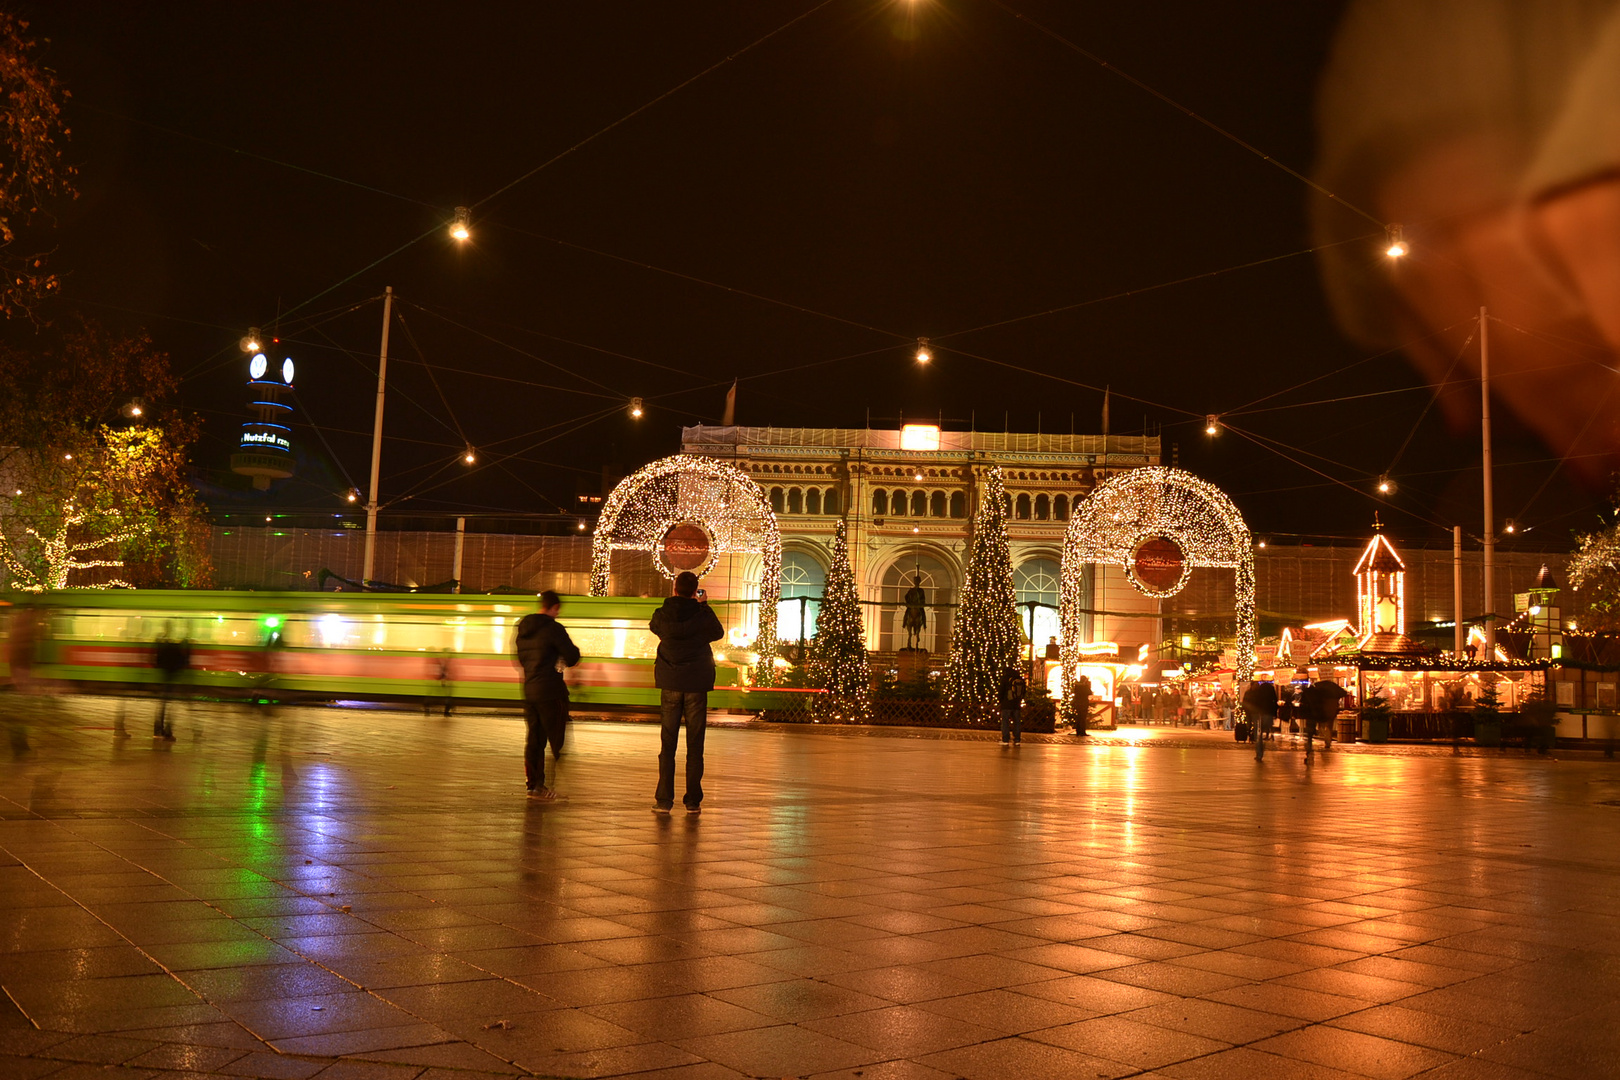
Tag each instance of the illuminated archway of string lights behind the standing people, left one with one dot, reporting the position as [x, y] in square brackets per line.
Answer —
[722, 511]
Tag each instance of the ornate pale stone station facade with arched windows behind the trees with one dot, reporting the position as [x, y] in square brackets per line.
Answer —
[910, 498]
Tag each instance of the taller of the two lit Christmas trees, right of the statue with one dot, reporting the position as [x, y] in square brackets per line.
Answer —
[986, 634]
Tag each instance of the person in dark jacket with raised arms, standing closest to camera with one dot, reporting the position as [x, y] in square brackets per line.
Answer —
[684, 674]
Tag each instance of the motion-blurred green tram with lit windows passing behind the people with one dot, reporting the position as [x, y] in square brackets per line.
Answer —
[356, 647]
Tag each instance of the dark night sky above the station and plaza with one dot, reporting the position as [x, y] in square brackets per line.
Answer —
[796, 219]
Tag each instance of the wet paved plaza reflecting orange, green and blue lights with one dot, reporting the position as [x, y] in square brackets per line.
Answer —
[364, 896]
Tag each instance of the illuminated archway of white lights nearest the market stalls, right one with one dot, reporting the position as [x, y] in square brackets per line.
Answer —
[1157, 524]
